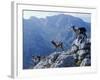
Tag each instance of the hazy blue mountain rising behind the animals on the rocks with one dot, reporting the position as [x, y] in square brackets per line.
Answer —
[38, 33]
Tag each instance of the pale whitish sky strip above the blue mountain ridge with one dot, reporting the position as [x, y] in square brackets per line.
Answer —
[43, 14]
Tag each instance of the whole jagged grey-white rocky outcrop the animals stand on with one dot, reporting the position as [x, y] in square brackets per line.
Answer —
[77, 55]
